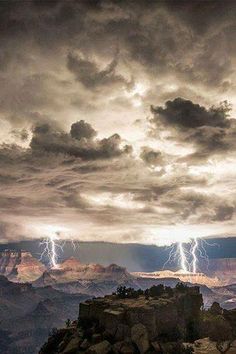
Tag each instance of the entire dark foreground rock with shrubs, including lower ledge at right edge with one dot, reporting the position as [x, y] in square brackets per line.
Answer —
[158, 320]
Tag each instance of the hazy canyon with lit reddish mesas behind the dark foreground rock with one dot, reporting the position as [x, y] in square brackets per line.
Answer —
[44, 298]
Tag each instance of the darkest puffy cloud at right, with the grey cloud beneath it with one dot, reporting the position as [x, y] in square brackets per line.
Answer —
[209, 130]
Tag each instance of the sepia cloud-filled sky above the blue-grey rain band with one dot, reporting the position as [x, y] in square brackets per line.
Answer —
[117, 120]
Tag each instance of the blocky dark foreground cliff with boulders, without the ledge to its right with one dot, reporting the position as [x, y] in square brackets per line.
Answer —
[141, 323]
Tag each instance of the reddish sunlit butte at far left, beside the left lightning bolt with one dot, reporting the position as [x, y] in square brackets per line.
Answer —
[20, 266]
